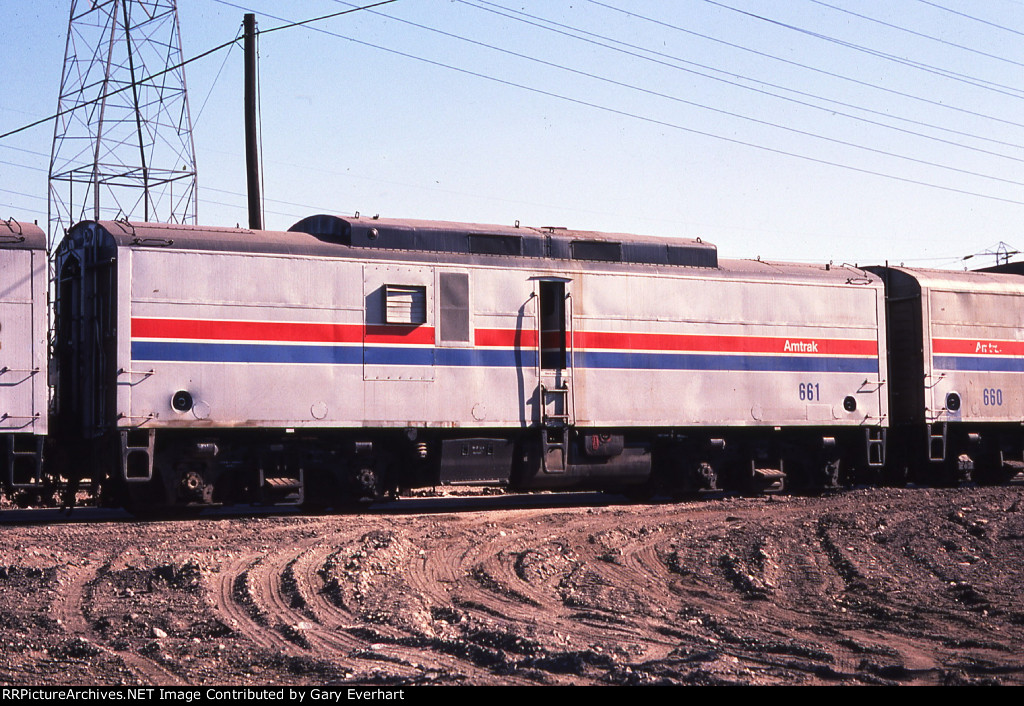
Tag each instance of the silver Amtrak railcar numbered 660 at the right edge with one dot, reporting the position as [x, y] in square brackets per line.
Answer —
[957, 356]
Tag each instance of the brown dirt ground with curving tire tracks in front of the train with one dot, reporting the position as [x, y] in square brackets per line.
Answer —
[873, 587]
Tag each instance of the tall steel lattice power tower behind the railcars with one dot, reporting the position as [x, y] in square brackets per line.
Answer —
[122, 144]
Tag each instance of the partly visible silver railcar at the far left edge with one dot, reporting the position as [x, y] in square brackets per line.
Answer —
[24, 416]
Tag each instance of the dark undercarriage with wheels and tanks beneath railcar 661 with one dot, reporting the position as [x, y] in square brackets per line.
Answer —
[161, 470]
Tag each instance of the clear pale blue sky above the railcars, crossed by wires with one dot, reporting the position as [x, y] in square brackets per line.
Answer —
[835, 131]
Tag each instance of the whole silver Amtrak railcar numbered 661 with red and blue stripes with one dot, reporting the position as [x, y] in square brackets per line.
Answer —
[350, 358]
